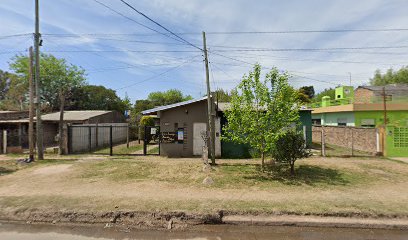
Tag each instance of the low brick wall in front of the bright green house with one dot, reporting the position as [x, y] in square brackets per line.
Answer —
[364, 139]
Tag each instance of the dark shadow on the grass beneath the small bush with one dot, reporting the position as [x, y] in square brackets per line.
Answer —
[308, 175]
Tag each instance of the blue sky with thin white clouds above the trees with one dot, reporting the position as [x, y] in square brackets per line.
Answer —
[120, 54]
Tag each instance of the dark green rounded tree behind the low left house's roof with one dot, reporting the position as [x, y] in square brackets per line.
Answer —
[93, 97]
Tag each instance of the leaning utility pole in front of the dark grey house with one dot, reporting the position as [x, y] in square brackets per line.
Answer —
[211, 115]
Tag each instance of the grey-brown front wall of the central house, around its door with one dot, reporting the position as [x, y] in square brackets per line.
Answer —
[184, 117]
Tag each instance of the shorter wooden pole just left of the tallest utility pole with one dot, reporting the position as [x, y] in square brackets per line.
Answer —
[31, 112]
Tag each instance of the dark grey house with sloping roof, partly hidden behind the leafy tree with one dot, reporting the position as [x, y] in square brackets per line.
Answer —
[189, 120]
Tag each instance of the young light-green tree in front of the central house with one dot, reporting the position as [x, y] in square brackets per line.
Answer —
[261, 110]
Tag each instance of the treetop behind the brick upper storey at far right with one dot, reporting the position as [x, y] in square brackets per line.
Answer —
[390, 77]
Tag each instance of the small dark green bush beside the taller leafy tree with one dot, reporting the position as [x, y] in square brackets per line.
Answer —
[290, 147]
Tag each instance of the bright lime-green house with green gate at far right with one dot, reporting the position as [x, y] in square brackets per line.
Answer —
[367, 106]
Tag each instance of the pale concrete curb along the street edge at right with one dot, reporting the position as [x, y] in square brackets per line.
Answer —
[314, 221]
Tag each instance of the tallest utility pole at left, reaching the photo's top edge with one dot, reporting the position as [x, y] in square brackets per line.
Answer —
[39, 129]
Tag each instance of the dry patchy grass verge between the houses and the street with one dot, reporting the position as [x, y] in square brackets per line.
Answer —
[334, 186]
